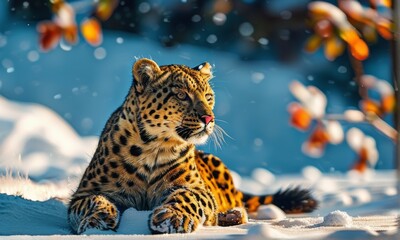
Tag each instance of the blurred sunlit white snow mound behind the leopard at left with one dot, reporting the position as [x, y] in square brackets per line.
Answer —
[38, 142]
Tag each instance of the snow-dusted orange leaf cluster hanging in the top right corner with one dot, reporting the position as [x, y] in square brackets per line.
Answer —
[350, 25]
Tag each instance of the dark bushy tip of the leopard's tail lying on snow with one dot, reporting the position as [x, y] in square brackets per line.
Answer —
[295, 200]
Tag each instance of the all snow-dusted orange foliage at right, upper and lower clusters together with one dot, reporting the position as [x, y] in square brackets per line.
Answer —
[350, 25]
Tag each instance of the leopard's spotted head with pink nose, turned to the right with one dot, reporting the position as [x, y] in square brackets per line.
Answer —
[175, 101]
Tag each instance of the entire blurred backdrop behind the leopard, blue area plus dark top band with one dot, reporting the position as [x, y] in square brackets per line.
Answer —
[256, 48]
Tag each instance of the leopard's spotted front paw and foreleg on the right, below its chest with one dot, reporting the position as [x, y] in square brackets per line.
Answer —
[183, 210]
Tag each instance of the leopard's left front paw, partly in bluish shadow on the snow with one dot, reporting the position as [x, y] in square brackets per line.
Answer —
[94, 211]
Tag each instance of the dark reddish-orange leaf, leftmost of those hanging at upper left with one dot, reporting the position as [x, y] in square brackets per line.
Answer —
[49, 35]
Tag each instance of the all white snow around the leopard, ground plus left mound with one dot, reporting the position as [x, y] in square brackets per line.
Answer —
[33, 202]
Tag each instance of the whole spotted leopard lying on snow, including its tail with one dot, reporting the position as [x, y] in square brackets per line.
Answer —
[147, 159]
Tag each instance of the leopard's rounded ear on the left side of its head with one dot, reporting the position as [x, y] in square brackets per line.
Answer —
[145, 71]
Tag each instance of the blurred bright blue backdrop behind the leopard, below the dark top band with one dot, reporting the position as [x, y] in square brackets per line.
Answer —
[85, 91]
